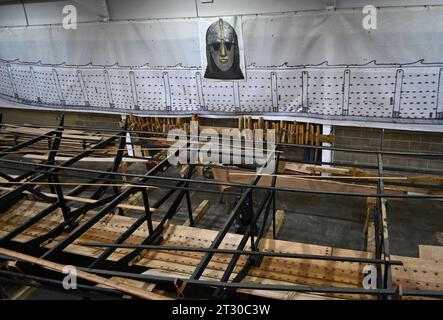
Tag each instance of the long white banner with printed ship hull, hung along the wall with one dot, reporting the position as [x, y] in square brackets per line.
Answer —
[318, 65]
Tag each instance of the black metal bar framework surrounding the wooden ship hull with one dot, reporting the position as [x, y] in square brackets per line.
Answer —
[186, 287]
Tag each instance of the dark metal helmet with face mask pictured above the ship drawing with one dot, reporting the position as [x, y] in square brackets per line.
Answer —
[222, 52]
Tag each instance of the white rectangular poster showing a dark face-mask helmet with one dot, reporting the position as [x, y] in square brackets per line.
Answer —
[221, 48]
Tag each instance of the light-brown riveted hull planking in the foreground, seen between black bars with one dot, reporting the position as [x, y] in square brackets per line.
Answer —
[424, 273]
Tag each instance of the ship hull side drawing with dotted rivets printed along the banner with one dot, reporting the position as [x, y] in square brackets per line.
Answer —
[410, 93]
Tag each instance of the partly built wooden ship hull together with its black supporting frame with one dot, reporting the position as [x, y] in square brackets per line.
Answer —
[148, 257]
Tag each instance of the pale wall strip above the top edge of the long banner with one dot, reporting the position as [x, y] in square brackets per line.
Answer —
[50, 12]
